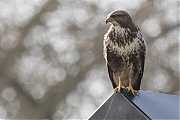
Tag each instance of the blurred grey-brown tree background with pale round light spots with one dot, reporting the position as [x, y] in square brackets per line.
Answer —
[51, 61]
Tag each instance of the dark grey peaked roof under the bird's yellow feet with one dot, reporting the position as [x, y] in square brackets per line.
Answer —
[145, 105]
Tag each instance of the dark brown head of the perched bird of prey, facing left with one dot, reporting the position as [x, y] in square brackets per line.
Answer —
[118, 17]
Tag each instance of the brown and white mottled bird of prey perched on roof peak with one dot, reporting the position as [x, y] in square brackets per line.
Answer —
[124, 52]
